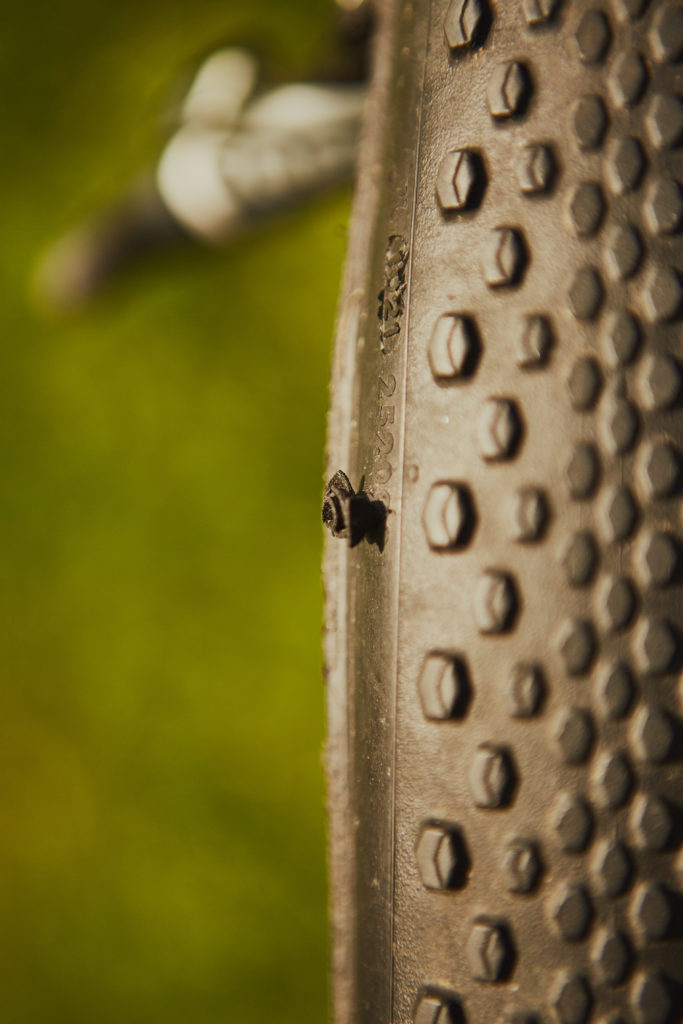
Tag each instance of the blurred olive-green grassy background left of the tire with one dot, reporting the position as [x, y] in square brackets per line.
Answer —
[162, 832]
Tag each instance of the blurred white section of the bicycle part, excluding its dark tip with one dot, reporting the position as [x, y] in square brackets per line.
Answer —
[240, 156]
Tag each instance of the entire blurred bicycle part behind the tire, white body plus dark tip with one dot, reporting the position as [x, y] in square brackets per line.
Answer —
[245, 150]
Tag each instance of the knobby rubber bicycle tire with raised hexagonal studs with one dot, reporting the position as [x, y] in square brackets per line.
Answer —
[505, 749]
